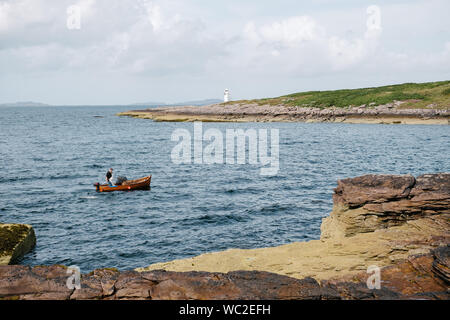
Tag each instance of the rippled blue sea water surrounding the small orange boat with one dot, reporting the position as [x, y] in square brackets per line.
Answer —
[51, 156]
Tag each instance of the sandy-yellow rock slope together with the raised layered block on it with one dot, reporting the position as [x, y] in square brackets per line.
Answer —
[376, 220]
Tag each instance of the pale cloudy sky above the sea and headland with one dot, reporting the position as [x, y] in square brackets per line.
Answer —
[176, 50]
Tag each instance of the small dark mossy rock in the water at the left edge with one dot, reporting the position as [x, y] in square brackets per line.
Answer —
[15, 241]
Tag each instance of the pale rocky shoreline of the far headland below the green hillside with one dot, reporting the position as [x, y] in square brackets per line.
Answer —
[392, 113]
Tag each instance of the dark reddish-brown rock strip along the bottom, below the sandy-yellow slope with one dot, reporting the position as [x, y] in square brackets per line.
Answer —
[419, 277]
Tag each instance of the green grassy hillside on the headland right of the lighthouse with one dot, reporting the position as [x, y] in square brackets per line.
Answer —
[417, 95]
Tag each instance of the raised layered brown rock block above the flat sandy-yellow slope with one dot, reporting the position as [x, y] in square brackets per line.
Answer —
[371, 202]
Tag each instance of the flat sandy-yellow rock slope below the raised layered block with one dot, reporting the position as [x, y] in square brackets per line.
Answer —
[324, 259]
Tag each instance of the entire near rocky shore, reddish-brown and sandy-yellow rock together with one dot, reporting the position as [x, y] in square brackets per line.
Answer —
[397, 223]
